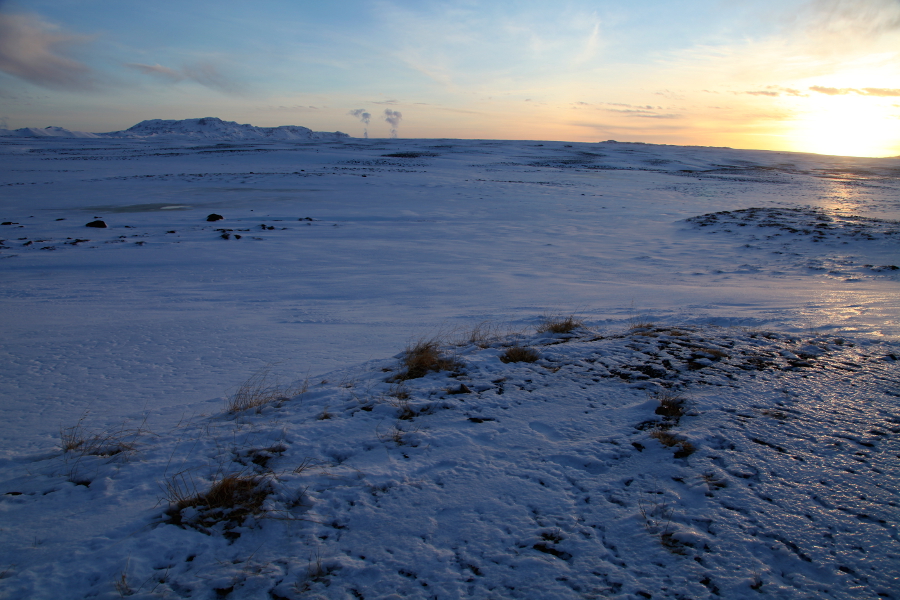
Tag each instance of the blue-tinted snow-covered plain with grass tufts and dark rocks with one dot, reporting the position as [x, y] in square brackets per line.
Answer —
[753, 293]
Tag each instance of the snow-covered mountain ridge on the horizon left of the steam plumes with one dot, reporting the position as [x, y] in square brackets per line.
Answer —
[207, 128]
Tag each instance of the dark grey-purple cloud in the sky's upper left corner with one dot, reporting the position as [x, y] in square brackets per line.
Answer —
[41, 53]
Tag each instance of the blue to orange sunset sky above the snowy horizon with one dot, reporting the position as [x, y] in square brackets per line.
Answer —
[817, 76]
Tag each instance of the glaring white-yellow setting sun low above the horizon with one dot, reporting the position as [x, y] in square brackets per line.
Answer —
[848, 125]
